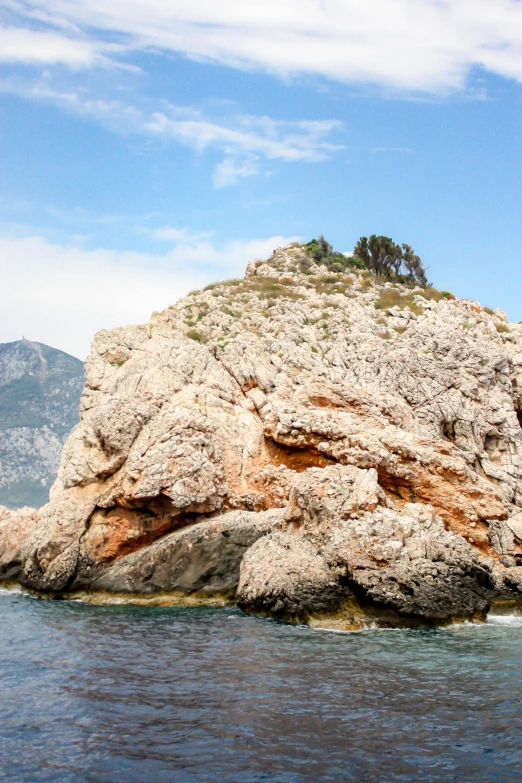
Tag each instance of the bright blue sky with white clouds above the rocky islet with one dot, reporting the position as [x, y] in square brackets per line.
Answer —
[150, 147]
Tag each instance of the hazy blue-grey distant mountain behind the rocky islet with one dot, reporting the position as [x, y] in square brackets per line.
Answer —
[40, 390]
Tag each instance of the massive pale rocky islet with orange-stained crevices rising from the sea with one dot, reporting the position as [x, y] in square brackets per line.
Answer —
[334, 446]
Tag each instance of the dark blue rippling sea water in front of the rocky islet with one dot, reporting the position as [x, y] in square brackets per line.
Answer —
[127, 694]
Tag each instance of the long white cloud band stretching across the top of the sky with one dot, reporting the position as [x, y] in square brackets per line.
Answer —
[406, 44]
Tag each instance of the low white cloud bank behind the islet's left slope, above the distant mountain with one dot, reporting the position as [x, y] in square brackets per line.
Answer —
[62, 295]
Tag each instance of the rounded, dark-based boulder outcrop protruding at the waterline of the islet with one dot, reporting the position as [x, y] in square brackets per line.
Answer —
[343, 538]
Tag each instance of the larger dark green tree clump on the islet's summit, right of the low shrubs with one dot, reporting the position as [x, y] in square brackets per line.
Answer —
[382, 256]
